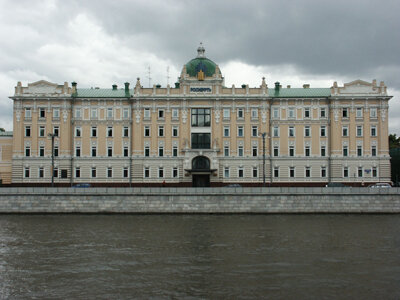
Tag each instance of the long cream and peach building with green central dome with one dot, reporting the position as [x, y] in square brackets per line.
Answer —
[200, 133]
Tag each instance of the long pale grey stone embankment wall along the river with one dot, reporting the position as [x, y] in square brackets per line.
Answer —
[199, 200]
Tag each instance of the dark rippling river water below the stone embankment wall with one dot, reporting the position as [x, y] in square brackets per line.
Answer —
[200, 256]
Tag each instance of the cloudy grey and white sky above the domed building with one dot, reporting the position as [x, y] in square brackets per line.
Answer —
[99, 43]
